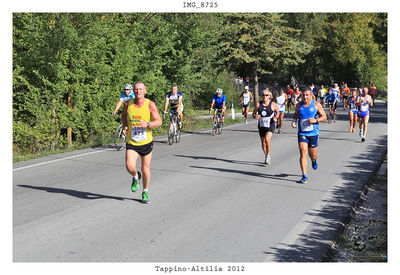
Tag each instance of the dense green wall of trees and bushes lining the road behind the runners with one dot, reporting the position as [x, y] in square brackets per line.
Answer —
[69, 68]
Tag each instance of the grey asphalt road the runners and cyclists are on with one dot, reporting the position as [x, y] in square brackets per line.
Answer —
[212, 198]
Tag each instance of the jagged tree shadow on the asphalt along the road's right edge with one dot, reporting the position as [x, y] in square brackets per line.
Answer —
[313, 245]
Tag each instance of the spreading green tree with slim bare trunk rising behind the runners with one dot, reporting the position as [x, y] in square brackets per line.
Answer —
[262, 42]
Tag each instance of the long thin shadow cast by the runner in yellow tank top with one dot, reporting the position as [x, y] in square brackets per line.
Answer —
[77, 194]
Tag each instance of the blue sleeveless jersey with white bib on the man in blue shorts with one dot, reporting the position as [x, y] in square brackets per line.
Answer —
[306, 128]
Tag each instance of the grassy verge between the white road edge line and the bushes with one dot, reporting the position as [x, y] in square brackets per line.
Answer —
[190, 123]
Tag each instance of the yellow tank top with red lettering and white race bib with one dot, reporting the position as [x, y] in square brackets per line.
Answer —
[138, 135]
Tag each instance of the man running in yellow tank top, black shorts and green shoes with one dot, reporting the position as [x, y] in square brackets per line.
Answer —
[136, 119]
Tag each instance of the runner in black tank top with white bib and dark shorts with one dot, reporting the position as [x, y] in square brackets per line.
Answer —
[267, 113]
